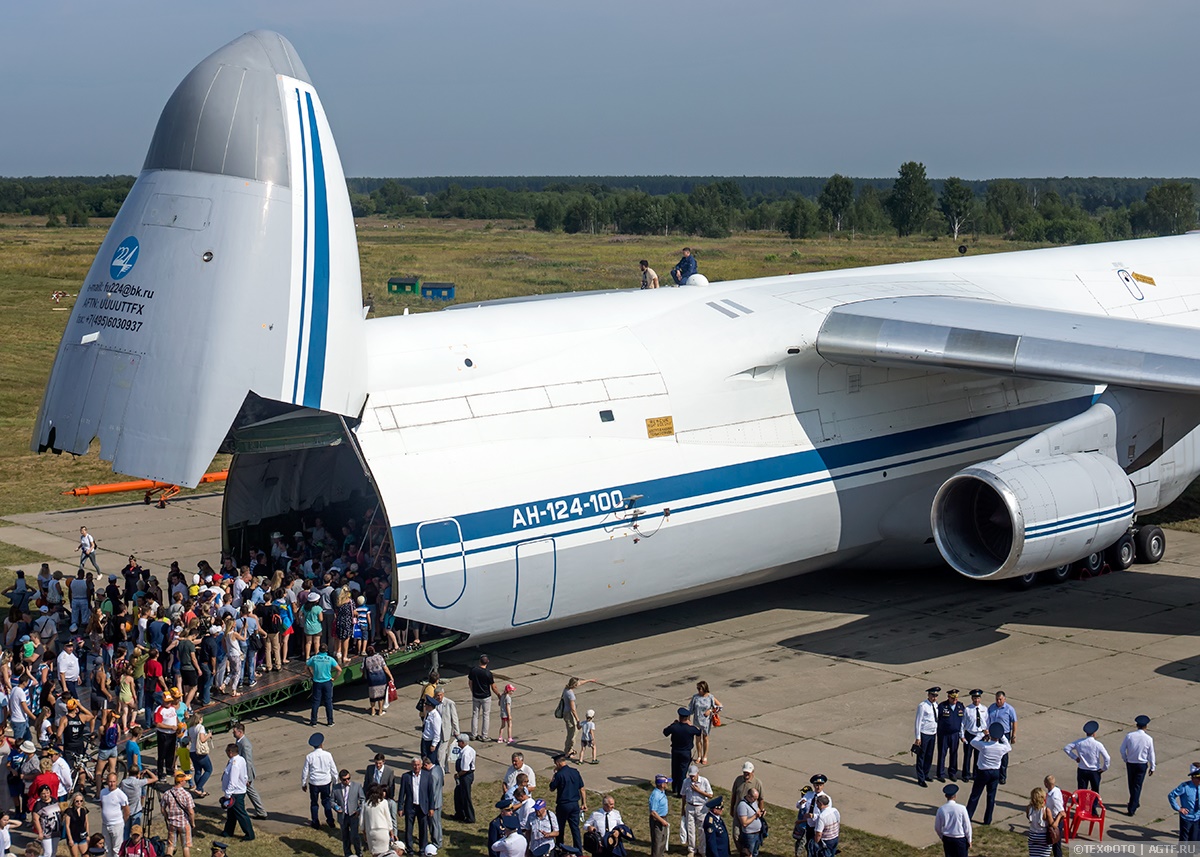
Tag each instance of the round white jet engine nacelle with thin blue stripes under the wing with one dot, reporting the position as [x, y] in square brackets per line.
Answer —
[1009, 518]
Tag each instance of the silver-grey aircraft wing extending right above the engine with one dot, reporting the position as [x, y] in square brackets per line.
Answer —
[1005, 339]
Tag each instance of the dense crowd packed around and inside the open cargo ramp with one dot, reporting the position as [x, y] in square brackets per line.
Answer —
[97, 668]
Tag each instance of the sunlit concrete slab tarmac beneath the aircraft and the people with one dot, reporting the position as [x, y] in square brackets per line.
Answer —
[820, 674]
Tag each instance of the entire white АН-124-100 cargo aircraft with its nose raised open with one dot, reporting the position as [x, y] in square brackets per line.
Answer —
[548, 462]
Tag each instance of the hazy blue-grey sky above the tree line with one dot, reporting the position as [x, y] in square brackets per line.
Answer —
[670, 87]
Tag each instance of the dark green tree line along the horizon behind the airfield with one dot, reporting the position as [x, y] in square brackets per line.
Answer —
[1070, 211]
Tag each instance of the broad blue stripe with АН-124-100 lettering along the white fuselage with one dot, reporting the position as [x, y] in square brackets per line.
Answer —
[865, 457]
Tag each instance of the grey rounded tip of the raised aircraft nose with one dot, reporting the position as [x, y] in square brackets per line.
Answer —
[227, 117]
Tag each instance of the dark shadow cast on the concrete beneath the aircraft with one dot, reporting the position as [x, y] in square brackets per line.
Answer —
[907, 618]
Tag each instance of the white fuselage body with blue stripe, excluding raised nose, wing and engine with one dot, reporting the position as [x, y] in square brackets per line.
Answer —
[561, 460]
